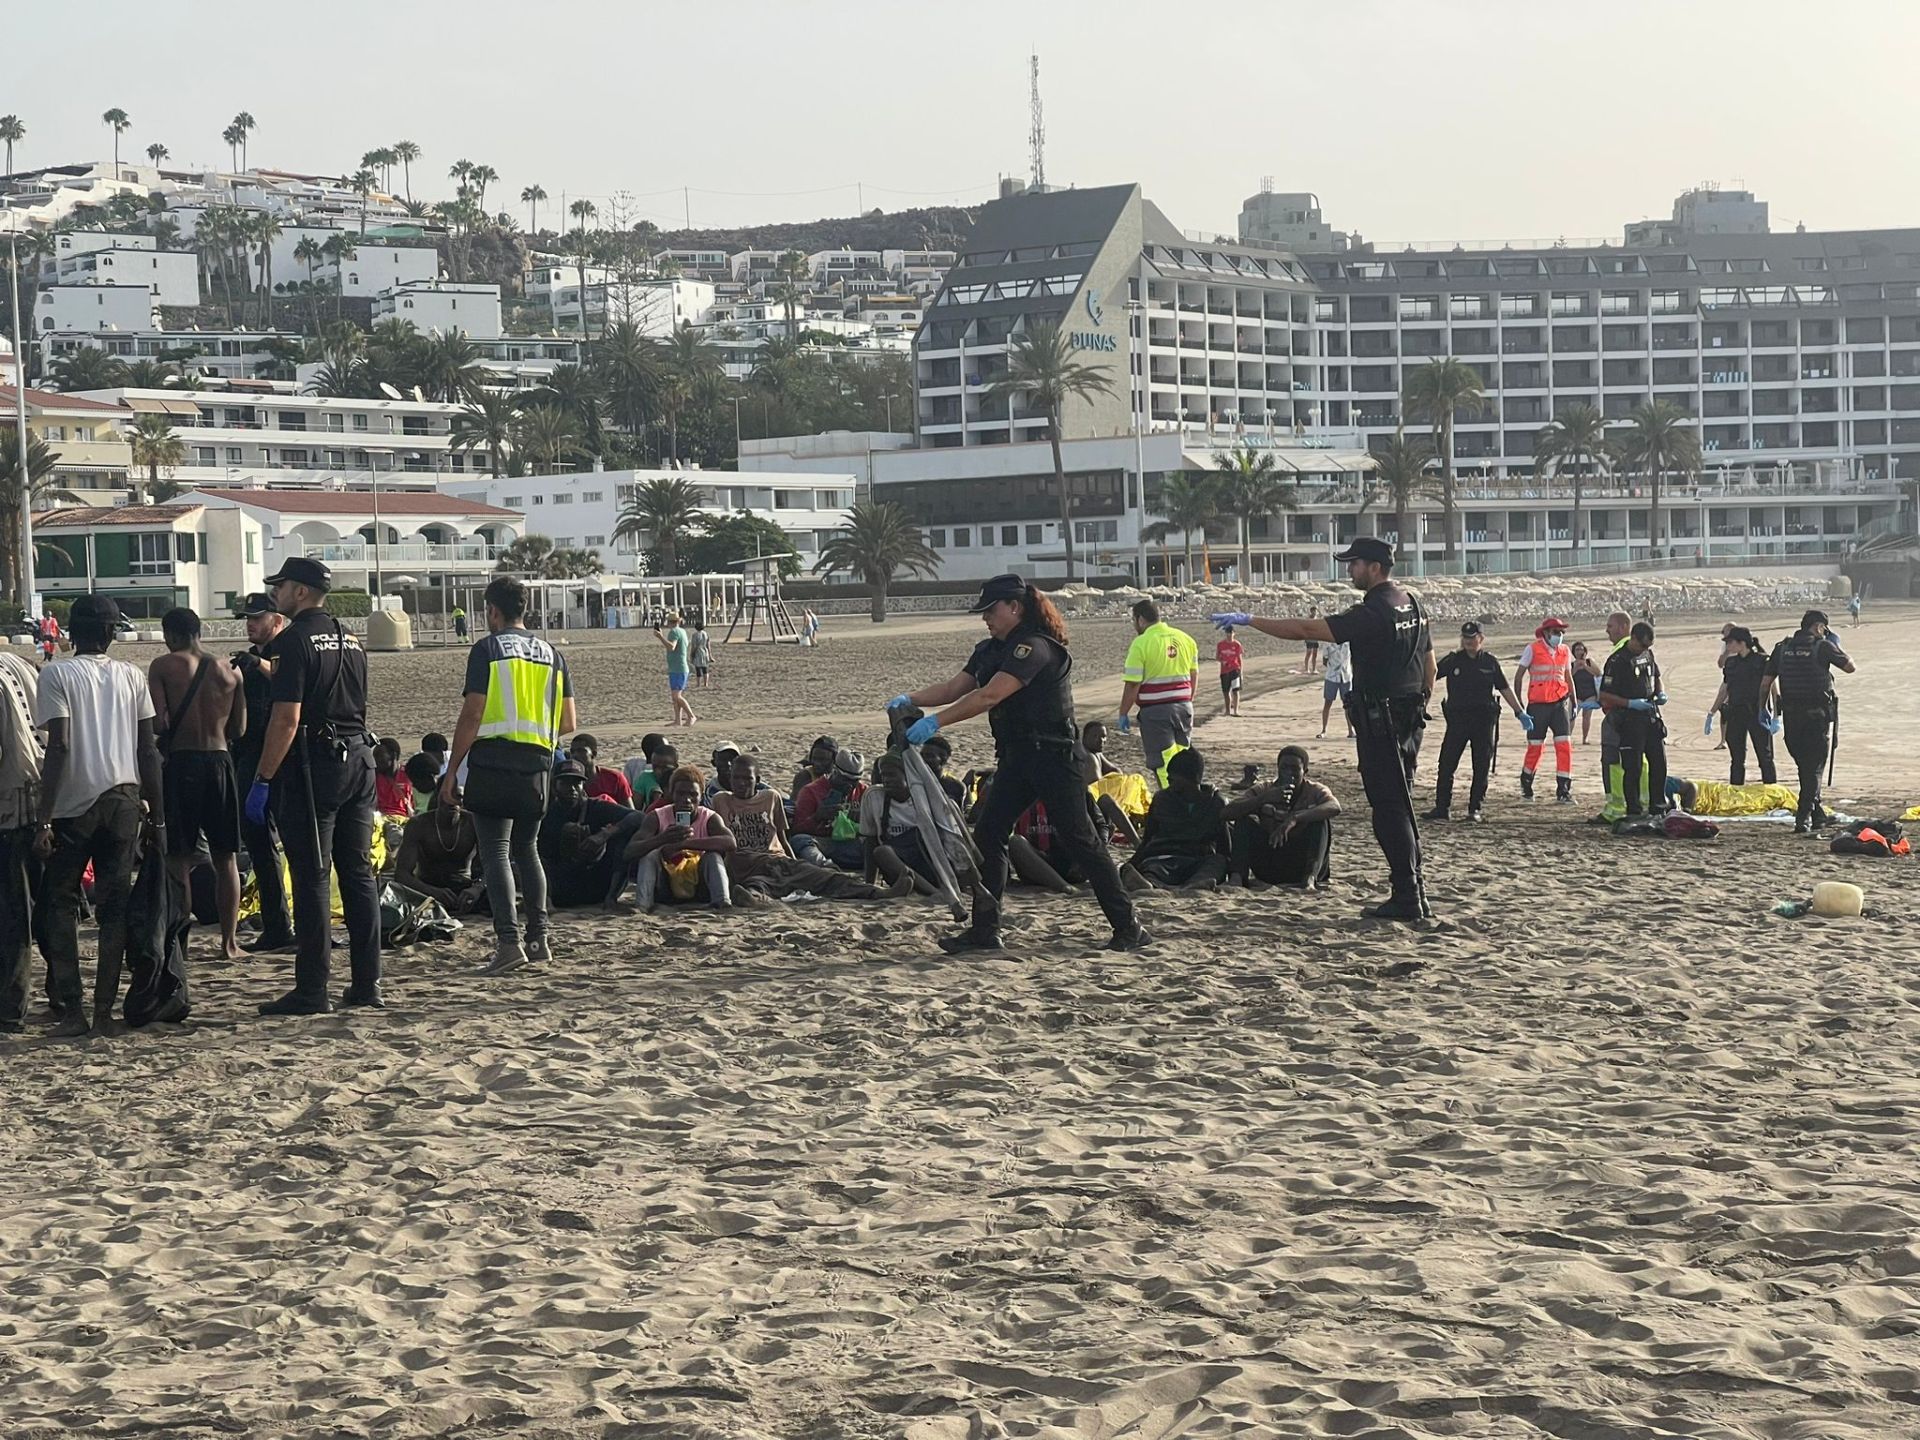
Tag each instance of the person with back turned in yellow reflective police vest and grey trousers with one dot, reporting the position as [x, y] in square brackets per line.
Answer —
[519, 702]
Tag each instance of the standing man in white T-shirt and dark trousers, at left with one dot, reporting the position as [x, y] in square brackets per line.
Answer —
[101, 798]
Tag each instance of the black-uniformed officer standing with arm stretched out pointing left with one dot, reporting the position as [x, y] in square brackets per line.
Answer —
[1393, 677]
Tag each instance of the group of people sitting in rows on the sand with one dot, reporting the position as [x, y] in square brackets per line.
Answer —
[661, 830]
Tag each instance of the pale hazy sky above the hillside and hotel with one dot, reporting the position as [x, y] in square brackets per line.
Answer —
[1420, 120]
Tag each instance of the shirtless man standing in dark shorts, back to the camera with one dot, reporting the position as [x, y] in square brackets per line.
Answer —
[195, 725]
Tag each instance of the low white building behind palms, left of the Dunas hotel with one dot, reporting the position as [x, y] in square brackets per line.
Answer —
[585, 508]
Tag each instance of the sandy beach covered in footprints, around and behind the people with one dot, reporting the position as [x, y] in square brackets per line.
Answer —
[1606, 1153]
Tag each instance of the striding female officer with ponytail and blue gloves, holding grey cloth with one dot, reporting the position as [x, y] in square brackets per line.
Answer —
[1019, 679]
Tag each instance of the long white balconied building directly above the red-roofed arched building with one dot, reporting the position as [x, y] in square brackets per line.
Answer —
[308, 441]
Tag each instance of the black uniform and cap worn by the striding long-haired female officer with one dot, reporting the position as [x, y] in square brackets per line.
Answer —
[1038, 757]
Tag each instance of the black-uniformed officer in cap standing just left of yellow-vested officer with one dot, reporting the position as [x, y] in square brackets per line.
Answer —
[318, 769]
